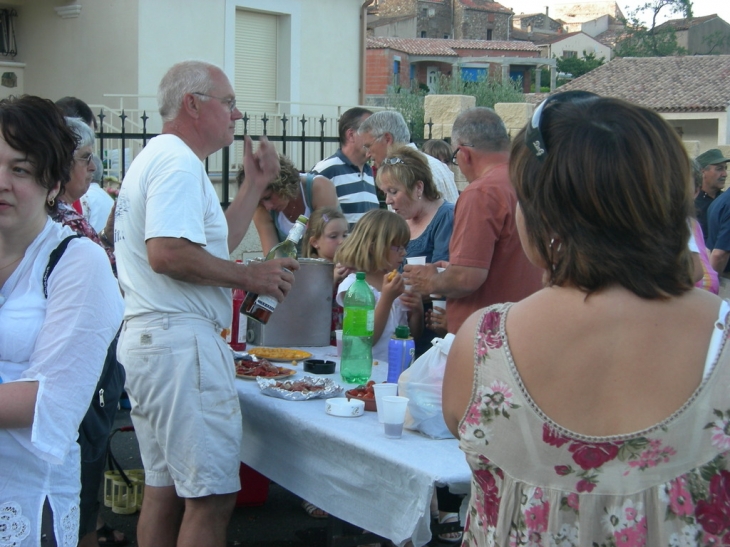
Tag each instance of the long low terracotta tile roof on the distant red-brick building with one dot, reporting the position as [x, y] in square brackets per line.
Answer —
[437, 46]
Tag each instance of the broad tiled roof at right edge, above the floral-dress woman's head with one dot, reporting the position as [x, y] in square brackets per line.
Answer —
[665, 84]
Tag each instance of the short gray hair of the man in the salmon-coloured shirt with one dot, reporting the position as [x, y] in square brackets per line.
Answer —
[482, 129]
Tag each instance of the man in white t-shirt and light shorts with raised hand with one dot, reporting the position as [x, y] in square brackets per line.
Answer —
[172, 243]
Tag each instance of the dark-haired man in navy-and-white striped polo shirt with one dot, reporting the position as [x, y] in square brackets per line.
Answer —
[346, 168]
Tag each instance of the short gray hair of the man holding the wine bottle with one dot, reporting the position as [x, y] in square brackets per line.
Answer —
[182, 78]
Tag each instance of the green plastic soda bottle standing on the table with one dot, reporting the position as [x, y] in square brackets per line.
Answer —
[358, 325]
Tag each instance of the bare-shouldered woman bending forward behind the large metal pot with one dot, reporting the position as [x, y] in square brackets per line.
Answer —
[287, 197]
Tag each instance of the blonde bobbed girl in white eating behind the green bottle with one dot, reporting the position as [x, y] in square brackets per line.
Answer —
[377, 247]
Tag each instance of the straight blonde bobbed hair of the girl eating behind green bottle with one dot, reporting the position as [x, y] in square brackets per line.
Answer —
[366, 248]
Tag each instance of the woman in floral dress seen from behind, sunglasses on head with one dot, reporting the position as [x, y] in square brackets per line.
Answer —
[596, 412]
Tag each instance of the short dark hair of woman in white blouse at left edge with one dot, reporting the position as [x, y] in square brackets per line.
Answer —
[36, 127]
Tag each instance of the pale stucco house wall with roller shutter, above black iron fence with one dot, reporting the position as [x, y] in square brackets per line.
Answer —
[125, 46]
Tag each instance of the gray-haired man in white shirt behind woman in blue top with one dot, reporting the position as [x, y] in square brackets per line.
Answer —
[388, 129]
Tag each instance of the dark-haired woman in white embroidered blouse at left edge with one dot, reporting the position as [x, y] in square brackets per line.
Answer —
[54, 329]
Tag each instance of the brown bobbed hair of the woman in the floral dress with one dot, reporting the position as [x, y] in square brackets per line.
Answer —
[615, 191]
